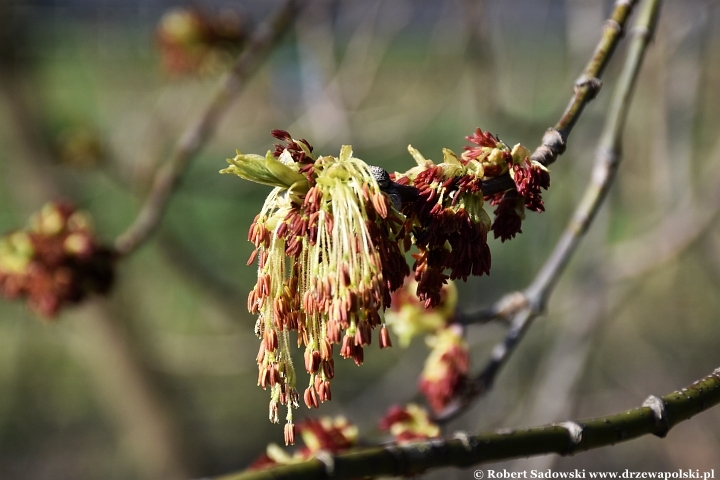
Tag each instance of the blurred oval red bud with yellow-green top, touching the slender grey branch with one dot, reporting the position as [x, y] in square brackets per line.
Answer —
[446, 368]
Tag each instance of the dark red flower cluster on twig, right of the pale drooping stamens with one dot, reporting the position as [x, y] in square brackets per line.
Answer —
[447, 221]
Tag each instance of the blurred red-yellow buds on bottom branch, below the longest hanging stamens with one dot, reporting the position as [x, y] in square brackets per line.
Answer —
[325, 434]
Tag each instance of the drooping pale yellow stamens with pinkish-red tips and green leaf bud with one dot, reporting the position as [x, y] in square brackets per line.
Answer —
[328, 251]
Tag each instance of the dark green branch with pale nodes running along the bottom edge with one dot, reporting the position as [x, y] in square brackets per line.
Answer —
[656, 416]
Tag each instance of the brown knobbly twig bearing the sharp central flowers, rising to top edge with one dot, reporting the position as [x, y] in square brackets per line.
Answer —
[586, 88]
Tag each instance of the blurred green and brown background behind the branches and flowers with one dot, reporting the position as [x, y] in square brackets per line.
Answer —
[159, 381]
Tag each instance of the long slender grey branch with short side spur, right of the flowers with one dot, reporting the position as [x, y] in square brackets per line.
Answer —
[606, 163]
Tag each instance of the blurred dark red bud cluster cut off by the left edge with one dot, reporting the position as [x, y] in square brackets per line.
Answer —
[56, 261]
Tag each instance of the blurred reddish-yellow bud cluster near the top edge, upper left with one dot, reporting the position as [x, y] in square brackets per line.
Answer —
[193, 42]
